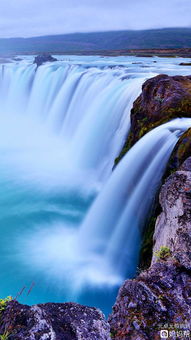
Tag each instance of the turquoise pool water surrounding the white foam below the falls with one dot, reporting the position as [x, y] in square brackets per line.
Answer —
[24, 212]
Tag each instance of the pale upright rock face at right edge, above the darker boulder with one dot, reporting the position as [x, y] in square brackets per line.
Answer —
[173, 226]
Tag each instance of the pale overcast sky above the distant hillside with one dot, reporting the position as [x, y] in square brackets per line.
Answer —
[41, 17]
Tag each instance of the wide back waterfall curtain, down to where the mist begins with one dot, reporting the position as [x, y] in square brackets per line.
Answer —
[84, 111]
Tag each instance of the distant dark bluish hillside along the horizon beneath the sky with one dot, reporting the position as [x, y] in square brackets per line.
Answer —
[100, 41]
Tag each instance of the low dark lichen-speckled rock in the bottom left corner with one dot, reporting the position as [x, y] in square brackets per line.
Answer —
[53, 321]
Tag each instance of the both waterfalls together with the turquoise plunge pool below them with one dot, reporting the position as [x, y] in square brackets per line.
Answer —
[61, 127]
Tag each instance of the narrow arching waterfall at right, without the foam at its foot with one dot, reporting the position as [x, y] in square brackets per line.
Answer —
[114, 225]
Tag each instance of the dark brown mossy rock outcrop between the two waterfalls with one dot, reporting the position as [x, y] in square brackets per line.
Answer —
[162, 99]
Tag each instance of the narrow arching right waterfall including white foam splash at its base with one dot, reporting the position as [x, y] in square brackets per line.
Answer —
[105, 248]
